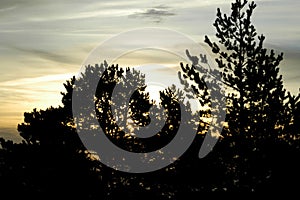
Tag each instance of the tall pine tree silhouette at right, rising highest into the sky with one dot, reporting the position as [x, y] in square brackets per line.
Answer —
[251, 70]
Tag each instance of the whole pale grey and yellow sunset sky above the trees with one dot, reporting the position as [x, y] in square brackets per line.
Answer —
[44, 43]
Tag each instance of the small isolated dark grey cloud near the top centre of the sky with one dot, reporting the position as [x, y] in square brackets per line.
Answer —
[154, 14]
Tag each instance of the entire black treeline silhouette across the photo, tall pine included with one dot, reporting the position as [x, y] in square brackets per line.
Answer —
[258, 150]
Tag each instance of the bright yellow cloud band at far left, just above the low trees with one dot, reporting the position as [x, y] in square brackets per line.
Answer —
[27, 93]
